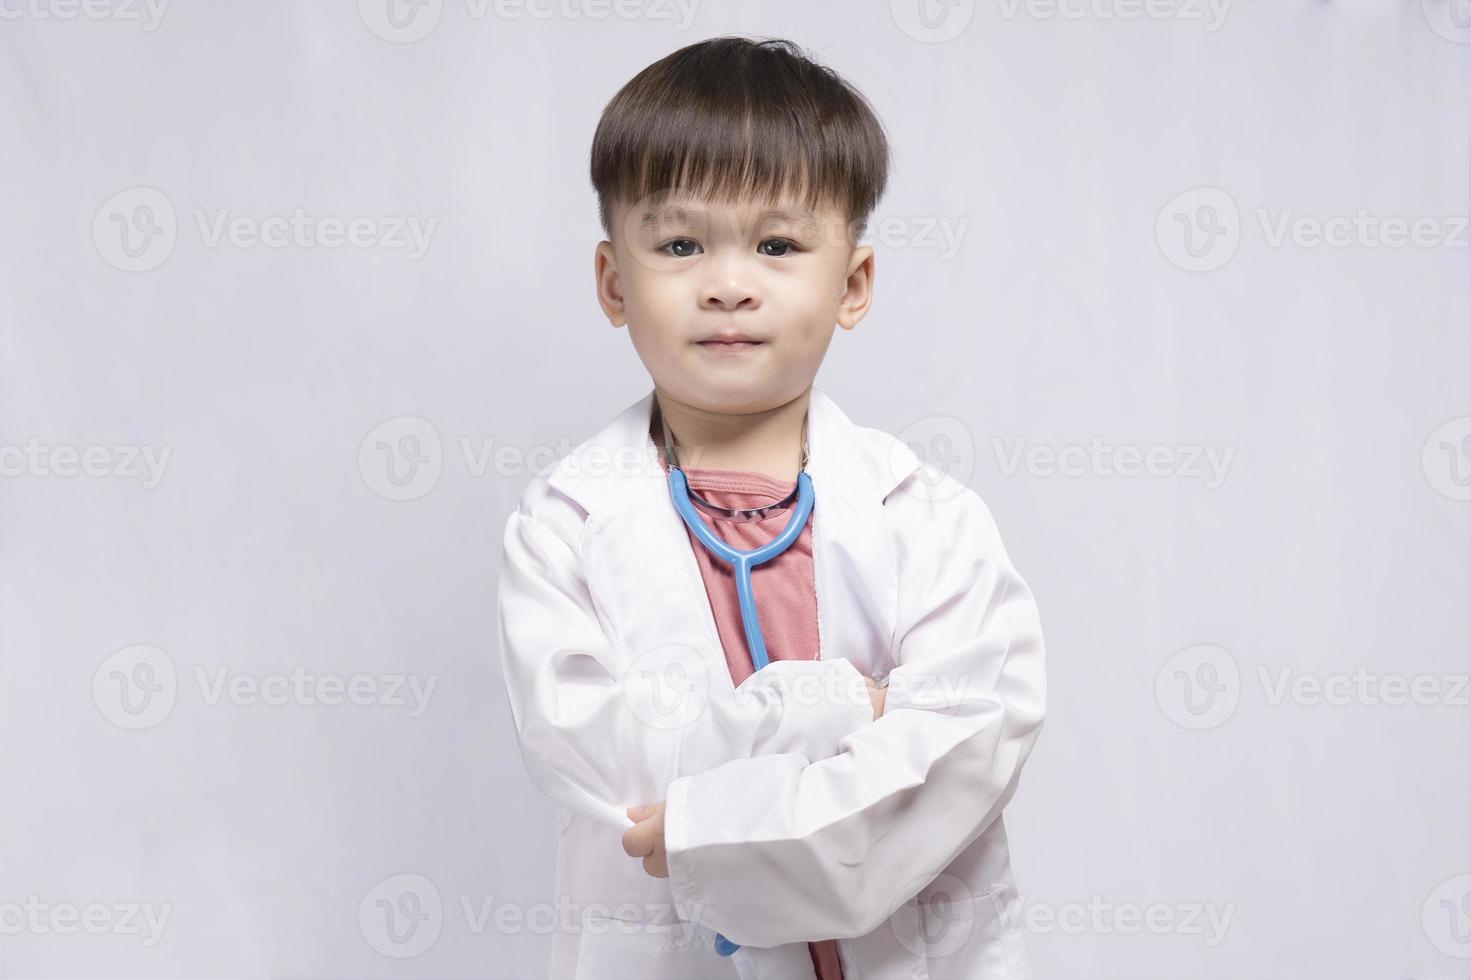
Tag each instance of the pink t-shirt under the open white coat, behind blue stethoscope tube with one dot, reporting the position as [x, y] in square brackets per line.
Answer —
[786, 597]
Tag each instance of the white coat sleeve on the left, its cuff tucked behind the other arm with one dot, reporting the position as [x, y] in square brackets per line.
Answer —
[599, 736]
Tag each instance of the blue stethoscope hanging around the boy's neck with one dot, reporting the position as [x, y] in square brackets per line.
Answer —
[686, 501]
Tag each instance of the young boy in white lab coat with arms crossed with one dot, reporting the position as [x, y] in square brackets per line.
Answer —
[826, 825]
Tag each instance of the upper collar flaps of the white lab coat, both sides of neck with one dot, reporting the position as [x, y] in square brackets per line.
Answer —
[621, 457]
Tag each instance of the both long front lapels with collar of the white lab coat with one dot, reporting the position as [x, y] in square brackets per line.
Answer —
[644, 573]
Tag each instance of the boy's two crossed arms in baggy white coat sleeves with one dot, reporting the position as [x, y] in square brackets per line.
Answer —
[769, 795]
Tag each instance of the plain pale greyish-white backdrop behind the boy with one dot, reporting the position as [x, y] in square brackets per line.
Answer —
[1050, 143]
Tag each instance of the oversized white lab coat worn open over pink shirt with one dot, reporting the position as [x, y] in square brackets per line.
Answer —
[792, 814]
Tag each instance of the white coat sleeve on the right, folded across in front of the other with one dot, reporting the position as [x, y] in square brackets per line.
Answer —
[776, 850]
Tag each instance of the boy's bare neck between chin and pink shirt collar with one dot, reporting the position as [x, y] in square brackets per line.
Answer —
[766, 442]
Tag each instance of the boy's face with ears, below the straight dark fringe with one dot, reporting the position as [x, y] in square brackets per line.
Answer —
[685, 273]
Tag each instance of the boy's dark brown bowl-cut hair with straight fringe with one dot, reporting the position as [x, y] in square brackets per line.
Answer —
[741, 120]
